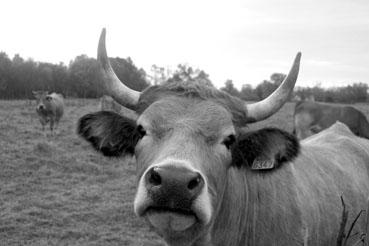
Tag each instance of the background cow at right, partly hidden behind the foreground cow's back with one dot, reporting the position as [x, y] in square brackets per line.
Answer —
[312, 117]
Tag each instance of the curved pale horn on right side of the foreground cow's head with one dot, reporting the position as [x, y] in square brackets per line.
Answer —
[265, 108]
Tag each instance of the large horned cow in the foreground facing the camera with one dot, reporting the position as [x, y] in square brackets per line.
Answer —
[204, 179]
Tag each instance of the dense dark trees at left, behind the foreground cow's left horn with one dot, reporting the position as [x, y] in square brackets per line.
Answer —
[80, 78]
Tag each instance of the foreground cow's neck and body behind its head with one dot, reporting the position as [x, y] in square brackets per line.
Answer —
[299, 203]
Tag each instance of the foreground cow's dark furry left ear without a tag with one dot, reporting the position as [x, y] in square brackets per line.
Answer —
[109, 133]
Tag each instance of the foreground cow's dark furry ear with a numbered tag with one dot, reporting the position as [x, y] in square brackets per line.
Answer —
[264, 149]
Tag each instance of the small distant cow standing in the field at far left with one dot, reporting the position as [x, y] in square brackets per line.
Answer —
[50, 108]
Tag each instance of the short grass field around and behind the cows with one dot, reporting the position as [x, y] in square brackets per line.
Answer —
[55, 190]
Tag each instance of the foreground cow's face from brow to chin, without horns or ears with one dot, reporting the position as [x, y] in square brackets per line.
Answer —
[182, 160]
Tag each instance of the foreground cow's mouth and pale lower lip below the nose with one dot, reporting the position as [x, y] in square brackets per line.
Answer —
[171, 219]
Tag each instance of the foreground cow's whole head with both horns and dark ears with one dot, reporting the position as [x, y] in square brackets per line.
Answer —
[185, 139]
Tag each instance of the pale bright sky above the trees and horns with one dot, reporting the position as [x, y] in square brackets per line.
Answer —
[245, 41]
